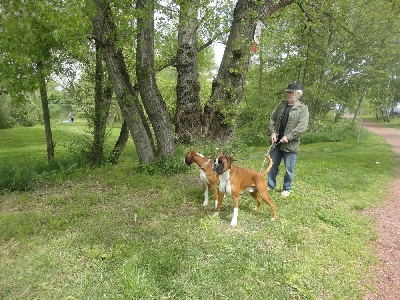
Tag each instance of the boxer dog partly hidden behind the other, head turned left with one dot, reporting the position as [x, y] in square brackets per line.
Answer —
[208, 177]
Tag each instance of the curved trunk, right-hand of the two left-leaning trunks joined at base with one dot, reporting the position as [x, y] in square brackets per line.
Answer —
[148, 89]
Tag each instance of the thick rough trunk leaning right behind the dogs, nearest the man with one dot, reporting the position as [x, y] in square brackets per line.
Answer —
[227, 89]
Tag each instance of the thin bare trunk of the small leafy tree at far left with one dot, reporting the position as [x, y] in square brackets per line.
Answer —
[46, 113]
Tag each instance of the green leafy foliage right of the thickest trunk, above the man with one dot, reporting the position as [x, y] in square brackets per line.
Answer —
[336, 63]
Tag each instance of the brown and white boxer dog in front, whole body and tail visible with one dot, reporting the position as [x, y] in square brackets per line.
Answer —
[233, 180]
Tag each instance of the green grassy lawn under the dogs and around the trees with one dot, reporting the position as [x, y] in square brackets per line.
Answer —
[114, 233]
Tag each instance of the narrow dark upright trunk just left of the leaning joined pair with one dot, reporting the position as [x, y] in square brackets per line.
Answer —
[102, 102]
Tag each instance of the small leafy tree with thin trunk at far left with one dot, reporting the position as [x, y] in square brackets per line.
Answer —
[33, 39]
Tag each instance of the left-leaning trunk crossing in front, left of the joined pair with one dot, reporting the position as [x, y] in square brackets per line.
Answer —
[127, 97]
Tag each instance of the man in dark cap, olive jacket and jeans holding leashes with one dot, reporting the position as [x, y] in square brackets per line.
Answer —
[288, 121]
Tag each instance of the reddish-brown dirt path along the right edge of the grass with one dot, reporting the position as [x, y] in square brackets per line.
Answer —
[388, 243]
